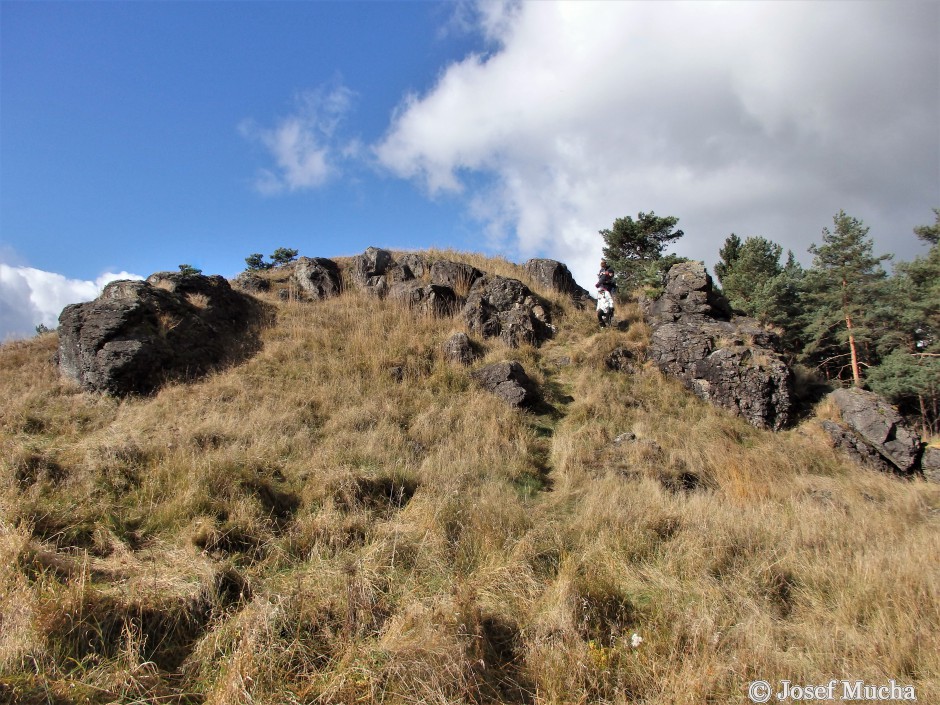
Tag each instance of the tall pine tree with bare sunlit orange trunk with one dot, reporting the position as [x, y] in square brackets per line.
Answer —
[845, 280]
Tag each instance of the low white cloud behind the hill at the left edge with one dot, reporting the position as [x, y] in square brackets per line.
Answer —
[30, 297]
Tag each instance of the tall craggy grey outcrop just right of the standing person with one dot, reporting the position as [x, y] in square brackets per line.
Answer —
[730, 361]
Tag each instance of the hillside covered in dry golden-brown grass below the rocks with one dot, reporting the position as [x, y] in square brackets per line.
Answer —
[306, 528]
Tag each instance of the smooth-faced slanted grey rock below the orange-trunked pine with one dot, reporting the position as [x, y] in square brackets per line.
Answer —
[873, 432]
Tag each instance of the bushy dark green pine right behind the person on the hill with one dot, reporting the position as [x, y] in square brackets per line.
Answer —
[634, 249]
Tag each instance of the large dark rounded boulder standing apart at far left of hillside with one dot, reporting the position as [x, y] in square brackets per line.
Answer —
[136, 335]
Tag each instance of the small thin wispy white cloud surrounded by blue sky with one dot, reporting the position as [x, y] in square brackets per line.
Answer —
[304, 144]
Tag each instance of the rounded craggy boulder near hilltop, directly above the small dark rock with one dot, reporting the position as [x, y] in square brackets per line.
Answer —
[507, 309]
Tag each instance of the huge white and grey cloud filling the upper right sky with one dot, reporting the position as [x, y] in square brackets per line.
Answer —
[758, 118]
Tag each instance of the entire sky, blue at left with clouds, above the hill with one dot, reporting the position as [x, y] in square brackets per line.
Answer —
[137, 136]
